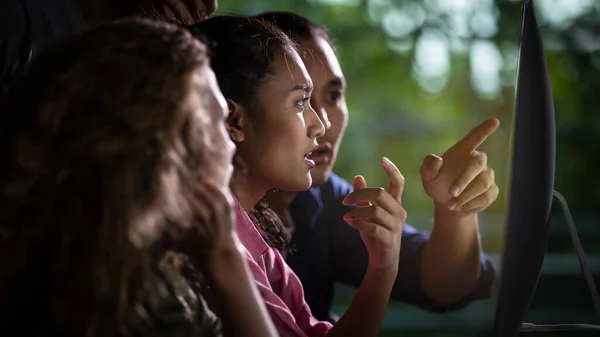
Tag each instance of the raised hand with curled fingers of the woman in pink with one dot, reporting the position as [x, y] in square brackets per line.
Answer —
[379, 217]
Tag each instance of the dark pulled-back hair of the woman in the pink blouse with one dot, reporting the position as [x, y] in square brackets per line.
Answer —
[242, 52]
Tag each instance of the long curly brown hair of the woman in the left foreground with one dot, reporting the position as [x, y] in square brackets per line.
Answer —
[99, 149]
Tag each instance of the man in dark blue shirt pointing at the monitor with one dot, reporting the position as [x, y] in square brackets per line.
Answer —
[439, 271]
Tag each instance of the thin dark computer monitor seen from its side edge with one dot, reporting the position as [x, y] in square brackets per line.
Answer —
[531, 181]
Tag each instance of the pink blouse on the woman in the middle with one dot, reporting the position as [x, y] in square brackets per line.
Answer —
[279, 286]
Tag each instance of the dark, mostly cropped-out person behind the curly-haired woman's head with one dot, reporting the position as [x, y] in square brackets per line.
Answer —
[26, 26]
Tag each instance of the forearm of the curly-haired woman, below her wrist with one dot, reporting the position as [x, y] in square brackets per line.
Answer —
[242, 310]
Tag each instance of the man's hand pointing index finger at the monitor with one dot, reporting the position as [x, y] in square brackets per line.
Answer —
[460, 180]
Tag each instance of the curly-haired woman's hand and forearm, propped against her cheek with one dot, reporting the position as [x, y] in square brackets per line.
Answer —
[210, 241]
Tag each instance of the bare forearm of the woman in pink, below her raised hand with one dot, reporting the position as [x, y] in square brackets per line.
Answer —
[365, 314]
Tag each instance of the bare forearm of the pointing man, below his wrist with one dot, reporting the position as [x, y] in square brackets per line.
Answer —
[450, 260]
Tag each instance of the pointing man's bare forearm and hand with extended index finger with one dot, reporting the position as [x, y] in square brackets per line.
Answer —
[461, 185]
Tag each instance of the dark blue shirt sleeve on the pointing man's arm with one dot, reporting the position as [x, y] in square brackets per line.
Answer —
[349, 259]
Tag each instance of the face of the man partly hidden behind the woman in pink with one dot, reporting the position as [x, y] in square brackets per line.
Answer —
[328, 101]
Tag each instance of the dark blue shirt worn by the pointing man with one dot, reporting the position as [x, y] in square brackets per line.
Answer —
[328, 250]
